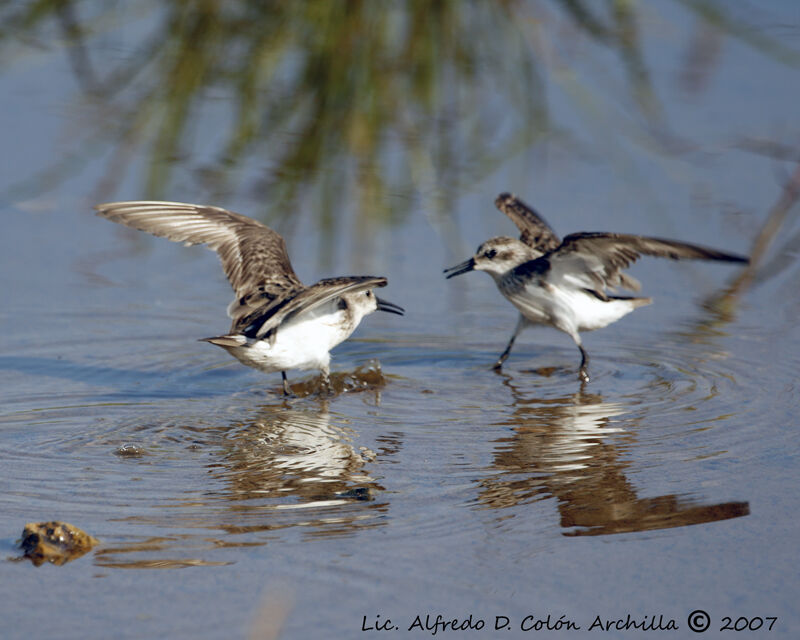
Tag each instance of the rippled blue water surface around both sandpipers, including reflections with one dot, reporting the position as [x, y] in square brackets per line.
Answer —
[430, 484]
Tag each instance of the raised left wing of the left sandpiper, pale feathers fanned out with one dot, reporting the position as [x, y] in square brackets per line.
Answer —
[253, 256]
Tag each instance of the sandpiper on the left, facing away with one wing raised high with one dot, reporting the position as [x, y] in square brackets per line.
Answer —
[278, 322]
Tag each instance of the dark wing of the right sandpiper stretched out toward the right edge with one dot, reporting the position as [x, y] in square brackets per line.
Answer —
[596, 260]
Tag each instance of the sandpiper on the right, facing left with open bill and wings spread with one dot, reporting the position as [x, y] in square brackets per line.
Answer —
[568, 284]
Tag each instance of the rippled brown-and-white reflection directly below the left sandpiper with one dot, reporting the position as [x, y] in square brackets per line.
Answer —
[294, 467]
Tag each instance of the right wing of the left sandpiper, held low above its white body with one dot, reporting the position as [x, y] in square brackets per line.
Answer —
[265, 321]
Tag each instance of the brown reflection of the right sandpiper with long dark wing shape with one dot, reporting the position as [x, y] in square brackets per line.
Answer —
[568, 448]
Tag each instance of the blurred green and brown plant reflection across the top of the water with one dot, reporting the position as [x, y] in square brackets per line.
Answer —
[375, 103]
